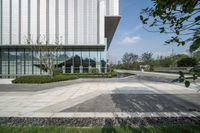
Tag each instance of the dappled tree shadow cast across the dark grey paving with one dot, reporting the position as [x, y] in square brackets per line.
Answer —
[155, 102]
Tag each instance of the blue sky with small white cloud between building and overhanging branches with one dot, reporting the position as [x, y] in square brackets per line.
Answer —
[131, 37]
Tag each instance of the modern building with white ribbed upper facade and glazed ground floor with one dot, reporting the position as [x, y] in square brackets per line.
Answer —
[82, 29]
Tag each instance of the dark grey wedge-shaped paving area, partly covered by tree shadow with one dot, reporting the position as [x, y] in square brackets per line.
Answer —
[139, 103]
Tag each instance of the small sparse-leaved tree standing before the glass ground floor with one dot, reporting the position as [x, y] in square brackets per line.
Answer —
[48, 57]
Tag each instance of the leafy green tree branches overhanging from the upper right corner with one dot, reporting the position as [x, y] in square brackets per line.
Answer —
[181, 18]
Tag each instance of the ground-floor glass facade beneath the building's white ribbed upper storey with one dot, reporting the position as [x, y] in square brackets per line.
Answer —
[18, 61]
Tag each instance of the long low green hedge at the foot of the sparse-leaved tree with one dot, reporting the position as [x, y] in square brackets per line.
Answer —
[43, 79]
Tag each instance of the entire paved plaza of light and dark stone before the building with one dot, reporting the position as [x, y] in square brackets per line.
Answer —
[125, 97]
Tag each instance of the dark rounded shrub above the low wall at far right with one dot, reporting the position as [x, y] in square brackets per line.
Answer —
[187, 62]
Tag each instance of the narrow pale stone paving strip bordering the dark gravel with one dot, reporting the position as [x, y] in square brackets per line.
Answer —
[100, 114]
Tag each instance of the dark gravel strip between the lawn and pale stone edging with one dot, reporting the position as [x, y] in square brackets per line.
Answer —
[83, 122]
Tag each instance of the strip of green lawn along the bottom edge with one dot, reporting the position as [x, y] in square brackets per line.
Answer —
[65, 129]
